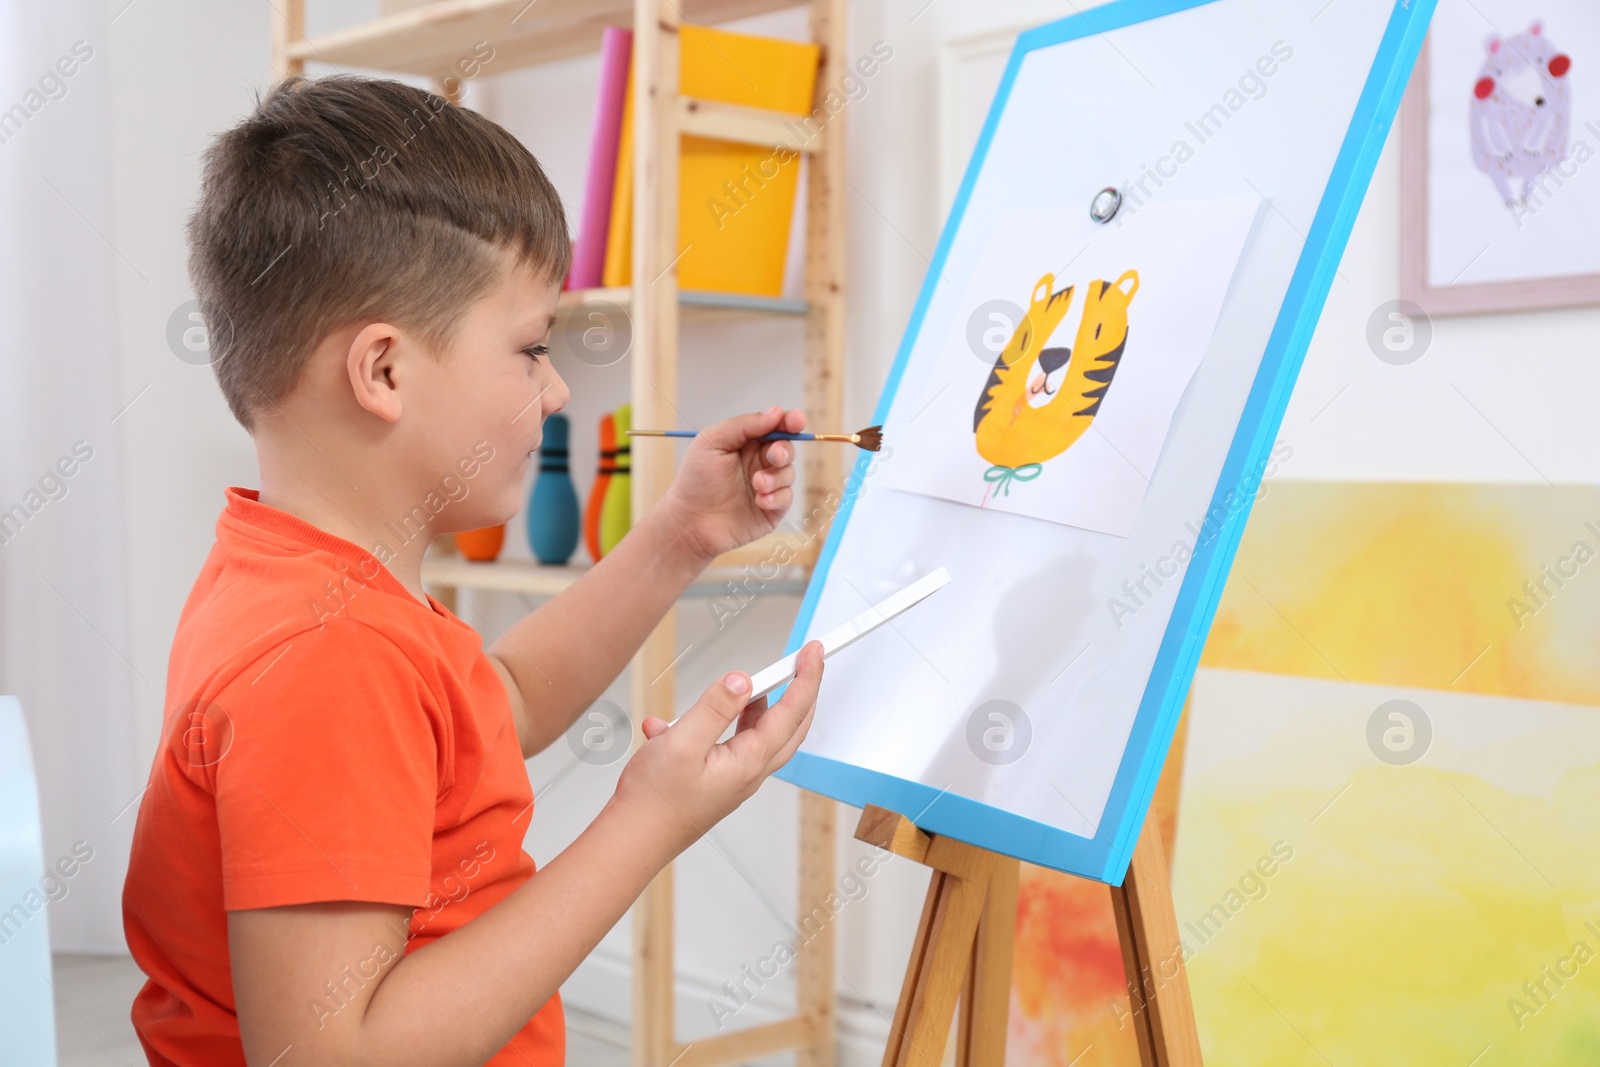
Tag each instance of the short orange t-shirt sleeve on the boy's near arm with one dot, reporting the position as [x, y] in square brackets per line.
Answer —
[330, 781]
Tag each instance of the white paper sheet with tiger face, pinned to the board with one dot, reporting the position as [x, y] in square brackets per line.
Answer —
[1081, 340]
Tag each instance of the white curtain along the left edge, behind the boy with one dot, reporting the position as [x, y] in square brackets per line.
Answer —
[63, 593]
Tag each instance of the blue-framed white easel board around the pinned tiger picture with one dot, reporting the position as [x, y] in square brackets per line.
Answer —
[1028, 708]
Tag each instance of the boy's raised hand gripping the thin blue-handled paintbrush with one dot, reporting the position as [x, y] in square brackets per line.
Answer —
[732, 487]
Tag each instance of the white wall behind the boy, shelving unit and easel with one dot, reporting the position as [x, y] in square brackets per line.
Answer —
[186, 70]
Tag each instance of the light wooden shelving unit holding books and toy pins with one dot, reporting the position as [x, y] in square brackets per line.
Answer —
[430, 39]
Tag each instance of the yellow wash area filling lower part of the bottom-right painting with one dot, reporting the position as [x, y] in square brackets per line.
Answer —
[1402, 927]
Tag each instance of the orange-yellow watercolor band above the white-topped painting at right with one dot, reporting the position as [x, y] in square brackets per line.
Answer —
[1412, 585]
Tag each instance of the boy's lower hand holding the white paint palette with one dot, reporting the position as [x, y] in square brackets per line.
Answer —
[682, 781]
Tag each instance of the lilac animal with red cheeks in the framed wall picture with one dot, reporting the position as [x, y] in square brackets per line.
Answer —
[1522, 111]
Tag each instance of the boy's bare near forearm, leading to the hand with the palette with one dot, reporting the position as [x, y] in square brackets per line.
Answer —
[460, 999]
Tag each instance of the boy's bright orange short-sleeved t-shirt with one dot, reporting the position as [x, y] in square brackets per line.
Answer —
[327, 738]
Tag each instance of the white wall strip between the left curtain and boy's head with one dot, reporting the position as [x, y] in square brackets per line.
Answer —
[180, 74]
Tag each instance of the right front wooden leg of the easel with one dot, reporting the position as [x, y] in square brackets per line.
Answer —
[1153, 957]
